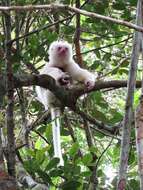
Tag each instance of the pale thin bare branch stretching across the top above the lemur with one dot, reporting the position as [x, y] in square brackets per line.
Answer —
[59, 7]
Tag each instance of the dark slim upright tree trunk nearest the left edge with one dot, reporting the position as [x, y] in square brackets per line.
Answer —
[10, 97]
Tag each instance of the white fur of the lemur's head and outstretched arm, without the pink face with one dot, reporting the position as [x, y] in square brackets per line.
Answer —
[69, 65]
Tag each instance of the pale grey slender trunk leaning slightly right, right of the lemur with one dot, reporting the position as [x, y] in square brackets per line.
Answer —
[125, 145]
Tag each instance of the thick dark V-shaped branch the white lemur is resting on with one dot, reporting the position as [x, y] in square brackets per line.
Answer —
[67, 96]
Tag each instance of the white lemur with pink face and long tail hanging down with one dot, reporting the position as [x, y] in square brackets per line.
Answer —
[60, 64]
